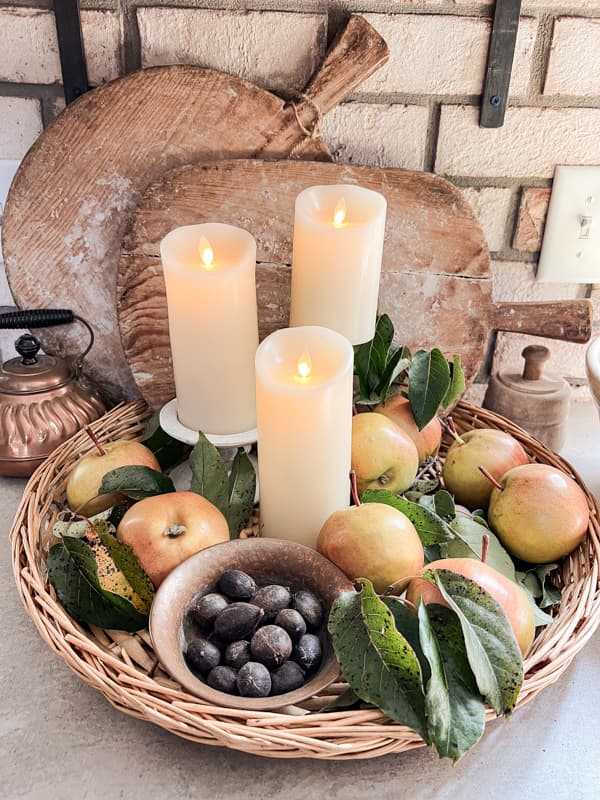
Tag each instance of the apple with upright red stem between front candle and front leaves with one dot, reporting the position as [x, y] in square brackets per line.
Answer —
[373, 541]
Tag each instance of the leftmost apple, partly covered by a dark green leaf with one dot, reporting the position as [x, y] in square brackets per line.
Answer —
[85, 479]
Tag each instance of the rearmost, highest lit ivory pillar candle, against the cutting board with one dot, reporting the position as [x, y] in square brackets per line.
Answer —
[336, 264]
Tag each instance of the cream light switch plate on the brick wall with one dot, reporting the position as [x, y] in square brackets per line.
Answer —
[571, 247]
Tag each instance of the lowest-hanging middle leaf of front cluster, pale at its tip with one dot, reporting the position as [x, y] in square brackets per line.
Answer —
[455, 709]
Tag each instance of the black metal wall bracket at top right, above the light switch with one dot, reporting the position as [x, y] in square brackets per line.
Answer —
[499, 67]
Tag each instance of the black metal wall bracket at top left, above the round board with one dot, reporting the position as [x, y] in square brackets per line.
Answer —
[70, 47]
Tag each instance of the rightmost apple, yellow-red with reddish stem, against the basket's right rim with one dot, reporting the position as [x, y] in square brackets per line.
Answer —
[540, 514]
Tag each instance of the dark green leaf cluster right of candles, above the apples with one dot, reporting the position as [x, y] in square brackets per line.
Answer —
[381, 367]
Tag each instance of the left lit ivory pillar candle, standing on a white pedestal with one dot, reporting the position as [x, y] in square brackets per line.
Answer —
[209, 274]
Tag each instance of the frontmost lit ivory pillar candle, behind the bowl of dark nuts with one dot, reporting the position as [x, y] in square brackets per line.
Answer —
[304, 420]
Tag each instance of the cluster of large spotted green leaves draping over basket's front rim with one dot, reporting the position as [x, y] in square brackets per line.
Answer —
[433, 672]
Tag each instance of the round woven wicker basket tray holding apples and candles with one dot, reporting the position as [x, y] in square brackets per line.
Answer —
[124, 667]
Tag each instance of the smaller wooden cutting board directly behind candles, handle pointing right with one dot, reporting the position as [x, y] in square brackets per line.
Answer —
[435, 283]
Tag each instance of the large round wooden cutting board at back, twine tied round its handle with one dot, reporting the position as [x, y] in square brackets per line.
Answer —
[69, 204]
